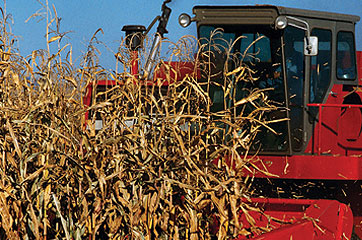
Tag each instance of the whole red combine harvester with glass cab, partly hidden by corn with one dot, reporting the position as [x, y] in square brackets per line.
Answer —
[318, 154]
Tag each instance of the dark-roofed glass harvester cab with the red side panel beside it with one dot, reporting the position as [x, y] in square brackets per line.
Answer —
[307, 57]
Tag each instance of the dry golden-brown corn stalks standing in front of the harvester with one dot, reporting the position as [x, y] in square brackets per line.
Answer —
[163, 165]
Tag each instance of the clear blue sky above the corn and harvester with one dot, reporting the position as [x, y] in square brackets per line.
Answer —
[84, 17]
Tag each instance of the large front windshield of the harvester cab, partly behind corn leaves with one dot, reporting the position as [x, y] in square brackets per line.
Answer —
[258, 47]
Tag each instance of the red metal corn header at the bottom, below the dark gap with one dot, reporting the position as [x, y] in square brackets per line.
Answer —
[300, 219]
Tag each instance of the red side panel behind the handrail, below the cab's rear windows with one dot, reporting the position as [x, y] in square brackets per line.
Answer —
[340, 130]
